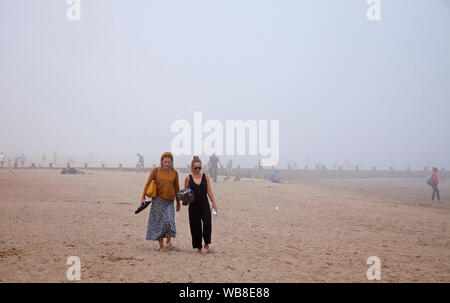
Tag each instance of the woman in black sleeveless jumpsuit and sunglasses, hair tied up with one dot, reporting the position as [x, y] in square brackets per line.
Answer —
[199, 210]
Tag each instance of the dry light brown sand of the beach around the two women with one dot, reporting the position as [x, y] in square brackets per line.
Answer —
[323, 230]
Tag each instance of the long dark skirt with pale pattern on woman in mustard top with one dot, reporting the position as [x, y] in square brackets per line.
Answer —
[161, 221]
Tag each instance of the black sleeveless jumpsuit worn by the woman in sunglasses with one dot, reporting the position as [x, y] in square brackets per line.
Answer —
[199, 211]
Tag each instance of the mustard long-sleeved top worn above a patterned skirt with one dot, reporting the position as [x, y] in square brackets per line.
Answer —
[166, 183]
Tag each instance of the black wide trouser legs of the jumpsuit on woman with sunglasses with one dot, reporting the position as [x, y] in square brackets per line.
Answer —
[200, 213]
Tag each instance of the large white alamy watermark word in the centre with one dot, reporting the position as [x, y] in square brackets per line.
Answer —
[233, 134]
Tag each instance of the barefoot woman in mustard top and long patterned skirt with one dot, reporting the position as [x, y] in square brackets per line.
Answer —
[161, 221]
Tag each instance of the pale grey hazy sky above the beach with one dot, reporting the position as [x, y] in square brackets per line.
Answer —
[343, 87]
